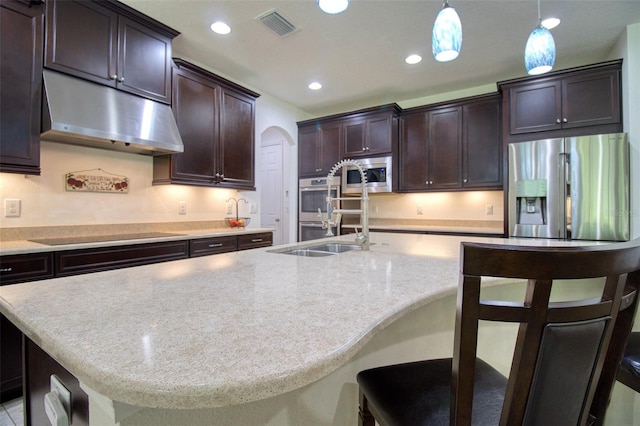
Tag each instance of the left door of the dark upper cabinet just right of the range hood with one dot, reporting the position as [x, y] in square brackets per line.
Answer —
[195, 108]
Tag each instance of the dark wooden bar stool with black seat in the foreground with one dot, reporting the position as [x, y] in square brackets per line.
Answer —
[566, 353]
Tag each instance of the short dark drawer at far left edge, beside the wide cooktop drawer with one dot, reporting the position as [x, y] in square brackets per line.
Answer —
[25, 267]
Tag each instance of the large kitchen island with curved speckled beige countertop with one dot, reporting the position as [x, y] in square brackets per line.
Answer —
[255, 337]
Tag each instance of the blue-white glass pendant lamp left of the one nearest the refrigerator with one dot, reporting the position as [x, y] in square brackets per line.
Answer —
[447, 34]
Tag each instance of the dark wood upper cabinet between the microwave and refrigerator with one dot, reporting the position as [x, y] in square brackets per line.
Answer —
[451, 146]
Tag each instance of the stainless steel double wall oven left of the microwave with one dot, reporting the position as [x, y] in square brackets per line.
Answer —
[313, 196]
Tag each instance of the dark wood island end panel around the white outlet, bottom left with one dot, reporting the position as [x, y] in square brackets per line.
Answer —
[39, 367]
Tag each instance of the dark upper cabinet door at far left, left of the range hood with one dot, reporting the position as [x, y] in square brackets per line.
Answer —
[21, 38]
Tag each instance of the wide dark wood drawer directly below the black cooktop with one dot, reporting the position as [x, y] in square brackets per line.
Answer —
[101, 259]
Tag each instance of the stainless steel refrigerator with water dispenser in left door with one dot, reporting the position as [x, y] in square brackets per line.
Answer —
[570, 188]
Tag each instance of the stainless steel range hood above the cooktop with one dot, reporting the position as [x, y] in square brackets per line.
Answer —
[80, 112]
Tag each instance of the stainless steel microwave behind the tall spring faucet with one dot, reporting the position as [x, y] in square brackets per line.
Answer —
[378, 172]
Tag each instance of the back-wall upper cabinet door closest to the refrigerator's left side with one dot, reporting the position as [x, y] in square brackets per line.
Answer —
[482, 161]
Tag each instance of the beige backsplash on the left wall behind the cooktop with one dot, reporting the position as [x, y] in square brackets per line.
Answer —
[44, 201]
